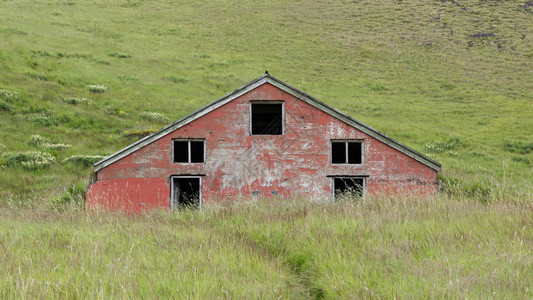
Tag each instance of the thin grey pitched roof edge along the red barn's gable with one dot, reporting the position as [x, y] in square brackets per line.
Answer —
[267, 78]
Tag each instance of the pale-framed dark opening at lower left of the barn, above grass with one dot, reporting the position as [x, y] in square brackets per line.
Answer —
[186, 192]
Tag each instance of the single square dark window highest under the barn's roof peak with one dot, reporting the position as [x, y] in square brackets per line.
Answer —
[267, 118]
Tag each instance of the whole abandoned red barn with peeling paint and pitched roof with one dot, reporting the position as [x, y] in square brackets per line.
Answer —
[265, 139]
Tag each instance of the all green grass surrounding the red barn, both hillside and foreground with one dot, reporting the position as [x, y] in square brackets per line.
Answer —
[451, 79]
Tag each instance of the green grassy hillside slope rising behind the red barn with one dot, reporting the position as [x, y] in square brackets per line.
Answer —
[452, 79]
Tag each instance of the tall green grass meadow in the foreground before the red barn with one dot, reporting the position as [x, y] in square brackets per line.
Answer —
[374, 248]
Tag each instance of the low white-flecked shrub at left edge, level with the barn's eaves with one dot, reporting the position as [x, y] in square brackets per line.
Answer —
[31, 160]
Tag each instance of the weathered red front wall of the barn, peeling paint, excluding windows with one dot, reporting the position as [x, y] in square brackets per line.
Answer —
[238, 163]
